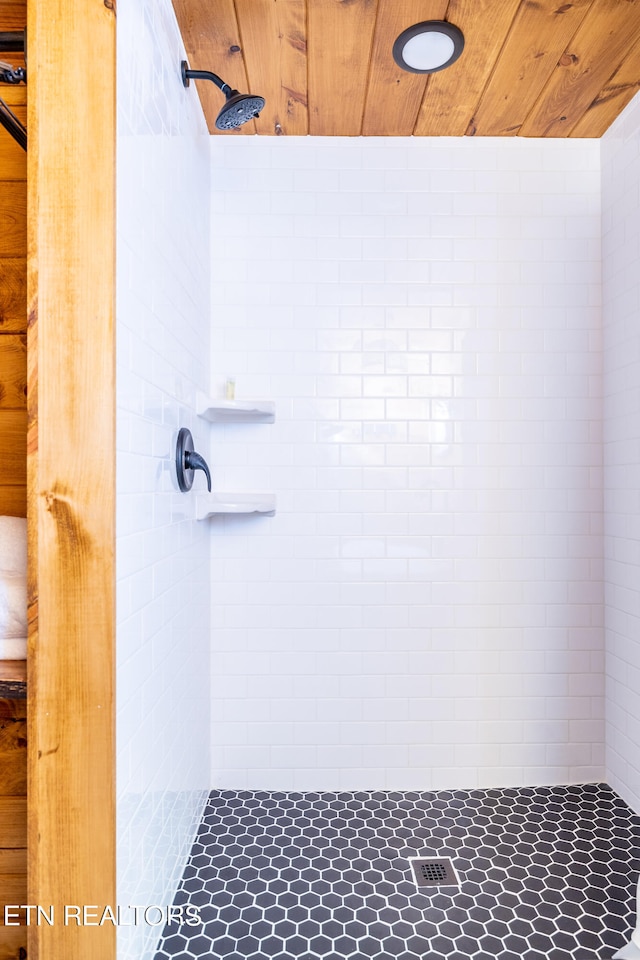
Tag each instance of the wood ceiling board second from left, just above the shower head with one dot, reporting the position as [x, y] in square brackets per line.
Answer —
[275, 51]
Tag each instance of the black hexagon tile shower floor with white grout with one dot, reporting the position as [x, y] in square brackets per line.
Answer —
[546, 873]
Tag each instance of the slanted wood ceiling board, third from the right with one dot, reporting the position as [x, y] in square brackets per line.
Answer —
[539, 36]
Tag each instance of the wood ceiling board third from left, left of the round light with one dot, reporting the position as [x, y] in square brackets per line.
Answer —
[339, 40]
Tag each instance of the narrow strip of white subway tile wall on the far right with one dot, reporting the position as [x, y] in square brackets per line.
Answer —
[621, 289]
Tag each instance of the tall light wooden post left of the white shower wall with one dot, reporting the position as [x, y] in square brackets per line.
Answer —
[71, 269]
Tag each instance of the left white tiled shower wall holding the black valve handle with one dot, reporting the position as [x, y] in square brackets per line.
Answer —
[162, 553]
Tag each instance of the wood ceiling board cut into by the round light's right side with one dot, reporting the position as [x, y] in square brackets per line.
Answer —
[453, 94]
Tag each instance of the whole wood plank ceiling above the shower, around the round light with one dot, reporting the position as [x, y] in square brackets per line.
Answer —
[530, 68]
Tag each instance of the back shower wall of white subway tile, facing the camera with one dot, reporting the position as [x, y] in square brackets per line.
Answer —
[425, 609]
